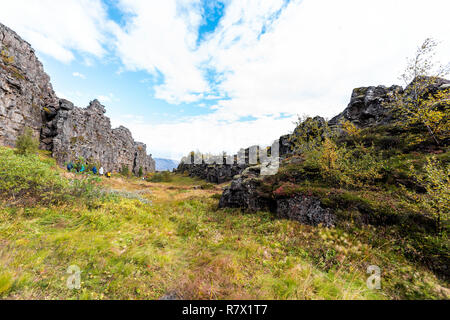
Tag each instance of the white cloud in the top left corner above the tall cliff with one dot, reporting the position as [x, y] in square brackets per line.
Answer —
[58, 28]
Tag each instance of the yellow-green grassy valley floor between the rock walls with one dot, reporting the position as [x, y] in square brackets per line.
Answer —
[130, 248]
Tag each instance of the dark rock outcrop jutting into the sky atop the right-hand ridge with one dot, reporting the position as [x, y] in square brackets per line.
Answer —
[367, 107]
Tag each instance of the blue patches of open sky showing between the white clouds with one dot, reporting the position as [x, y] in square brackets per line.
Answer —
[123, 90]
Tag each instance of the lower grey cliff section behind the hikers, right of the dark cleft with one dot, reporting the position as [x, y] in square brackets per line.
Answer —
[87, 133]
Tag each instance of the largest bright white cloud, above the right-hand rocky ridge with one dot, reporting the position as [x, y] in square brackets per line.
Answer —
[317, 51]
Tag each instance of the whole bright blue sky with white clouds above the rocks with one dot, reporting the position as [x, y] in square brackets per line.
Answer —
[217, 76]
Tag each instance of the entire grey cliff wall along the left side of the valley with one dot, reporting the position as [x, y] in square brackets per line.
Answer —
[27, 99]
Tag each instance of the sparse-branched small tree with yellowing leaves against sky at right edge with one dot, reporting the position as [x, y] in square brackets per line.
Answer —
[416, 105]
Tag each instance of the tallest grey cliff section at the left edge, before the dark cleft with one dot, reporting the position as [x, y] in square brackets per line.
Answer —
[26, 95]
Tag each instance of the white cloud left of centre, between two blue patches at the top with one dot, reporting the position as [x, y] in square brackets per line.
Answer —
[160, 38]
